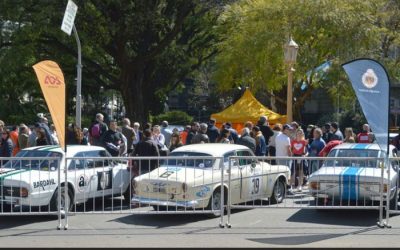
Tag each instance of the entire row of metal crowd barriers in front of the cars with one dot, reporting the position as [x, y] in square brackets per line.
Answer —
[194, 185]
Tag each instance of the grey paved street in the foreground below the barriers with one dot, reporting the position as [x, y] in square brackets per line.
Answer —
[250, 228]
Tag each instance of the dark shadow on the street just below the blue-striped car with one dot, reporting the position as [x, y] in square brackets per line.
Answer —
[362, 218]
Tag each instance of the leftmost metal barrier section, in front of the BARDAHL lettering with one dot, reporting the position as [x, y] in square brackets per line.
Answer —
[30, 186]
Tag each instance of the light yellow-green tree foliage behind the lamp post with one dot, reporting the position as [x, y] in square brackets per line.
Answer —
[254, 33]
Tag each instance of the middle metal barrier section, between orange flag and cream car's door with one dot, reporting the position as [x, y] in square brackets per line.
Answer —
[146, 185]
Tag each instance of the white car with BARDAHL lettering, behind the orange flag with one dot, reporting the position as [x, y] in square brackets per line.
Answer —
[34, 182]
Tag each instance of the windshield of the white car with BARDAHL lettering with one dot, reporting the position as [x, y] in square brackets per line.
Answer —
[33, 164]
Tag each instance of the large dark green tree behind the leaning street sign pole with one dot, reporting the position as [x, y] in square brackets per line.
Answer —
[141, 48]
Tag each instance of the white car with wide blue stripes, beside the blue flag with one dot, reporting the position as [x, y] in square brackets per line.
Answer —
[354, 177]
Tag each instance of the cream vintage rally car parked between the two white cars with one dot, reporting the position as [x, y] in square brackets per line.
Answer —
[185, 182]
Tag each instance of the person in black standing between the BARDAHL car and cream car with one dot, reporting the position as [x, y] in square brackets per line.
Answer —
[146, 147]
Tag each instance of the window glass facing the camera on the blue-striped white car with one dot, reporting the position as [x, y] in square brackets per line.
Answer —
[354, 153]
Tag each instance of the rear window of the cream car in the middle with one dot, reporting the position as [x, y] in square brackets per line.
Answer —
[183, 159]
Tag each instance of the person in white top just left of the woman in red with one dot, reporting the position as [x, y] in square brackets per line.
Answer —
[283, 145]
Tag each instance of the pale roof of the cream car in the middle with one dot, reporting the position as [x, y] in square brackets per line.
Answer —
[213, 149]
